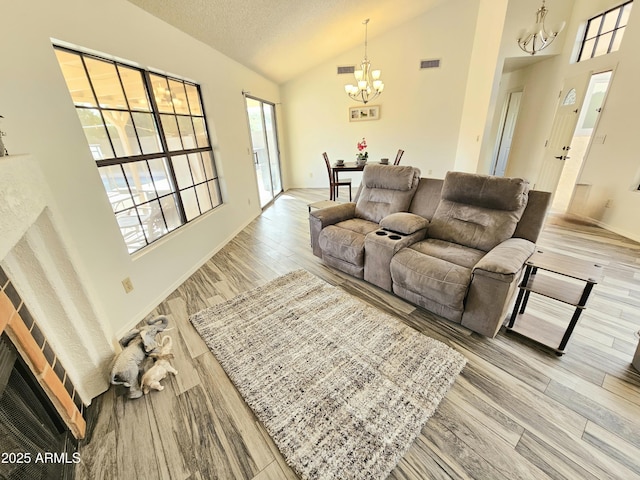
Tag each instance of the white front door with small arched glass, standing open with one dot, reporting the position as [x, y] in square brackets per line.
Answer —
[564, 124]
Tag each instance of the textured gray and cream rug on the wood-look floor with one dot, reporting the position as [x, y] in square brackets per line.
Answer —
[342, 388]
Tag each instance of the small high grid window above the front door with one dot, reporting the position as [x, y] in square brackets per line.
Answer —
[604, 32]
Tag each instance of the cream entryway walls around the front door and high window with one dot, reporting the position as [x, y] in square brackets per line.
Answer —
[611, 169]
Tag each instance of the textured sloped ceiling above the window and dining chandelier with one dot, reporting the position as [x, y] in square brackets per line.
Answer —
[283, 38]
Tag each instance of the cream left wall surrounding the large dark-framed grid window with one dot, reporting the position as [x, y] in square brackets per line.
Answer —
[40, 120]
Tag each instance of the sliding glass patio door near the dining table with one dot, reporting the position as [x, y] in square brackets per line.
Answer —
[266, 155]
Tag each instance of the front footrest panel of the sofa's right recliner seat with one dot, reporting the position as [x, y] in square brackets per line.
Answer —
[433, 278]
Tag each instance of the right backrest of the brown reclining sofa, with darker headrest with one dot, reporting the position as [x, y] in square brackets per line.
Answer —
[478, 211]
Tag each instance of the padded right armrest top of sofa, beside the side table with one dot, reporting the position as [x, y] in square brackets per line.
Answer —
[506, 259]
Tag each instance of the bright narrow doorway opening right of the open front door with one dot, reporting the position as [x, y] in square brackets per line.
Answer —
[581, 140]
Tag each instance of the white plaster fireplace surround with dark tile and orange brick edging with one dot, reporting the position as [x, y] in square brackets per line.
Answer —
[47, 314]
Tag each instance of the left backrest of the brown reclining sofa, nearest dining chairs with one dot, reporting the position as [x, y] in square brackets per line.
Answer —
[386, 189]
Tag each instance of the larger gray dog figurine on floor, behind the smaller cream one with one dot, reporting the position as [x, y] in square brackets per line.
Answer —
[136, 346]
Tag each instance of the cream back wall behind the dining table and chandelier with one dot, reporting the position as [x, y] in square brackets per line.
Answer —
[421, 110]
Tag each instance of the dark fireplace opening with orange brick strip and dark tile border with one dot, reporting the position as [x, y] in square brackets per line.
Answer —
[41, 414]
